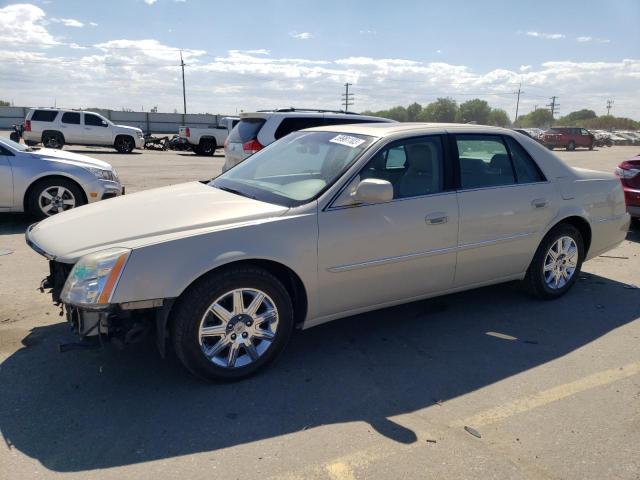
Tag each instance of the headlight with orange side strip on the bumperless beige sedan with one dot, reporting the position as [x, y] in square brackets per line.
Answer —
[94, 277]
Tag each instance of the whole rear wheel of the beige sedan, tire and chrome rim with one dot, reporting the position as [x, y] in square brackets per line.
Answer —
[556, 264]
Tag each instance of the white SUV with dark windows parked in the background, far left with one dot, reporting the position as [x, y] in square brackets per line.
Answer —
[55, 128]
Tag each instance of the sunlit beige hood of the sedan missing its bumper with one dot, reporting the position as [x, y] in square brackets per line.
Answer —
[151, 216]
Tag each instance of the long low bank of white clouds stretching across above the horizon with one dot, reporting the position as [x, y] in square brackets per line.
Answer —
[129, 73]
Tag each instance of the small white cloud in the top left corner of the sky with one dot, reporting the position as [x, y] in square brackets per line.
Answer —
[24, 24]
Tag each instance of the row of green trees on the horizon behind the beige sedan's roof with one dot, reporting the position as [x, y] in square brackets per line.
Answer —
[447, 110]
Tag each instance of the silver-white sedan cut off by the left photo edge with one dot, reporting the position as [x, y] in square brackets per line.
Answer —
[43, 181]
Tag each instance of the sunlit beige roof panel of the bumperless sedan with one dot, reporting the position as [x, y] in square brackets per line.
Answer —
[387, 129]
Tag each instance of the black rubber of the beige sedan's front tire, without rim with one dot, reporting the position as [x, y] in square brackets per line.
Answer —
[193, 304]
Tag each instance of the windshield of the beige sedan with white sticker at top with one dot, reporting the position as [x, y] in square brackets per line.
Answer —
[294, 169]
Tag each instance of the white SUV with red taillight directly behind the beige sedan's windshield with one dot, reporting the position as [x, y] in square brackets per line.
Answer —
[258, 129]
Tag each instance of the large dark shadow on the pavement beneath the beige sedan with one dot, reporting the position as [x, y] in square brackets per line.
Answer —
[86, 410]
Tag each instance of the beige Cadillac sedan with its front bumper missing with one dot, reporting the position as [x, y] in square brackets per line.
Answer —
[322, 224]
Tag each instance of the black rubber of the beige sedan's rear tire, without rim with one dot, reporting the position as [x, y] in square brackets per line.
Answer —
[534, 281]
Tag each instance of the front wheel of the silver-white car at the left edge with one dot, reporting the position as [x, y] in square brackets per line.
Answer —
[53, 195]
